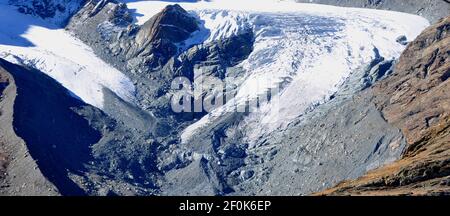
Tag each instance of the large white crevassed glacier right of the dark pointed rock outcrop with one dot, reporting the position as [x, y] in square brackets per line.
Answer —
[309, 48]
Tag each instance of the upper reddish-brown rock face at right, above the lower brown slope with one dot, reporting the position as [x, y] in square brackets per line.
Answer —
[417, 97]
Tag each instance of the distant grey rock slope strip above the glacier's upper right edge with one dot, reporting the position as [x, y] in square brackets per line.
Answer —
[433, 10]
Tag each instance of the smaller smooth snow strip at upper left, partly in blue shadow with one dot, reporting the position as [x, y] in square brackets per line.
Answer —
[35, 42]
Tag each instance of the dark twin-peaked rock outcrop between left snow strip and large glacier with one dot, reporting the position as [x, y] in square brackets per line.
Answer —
[108, 26]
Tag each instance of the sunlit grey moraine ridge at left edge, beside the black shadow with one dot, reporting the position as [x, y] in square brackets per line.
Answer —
[19, 172]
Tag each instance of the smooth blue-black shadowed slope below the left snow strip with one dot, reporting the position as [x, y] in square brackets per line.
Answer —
[55, 135]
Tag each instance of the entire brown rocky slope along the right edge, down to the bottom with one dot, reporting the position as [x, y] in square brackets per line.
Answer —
[416, 99]
